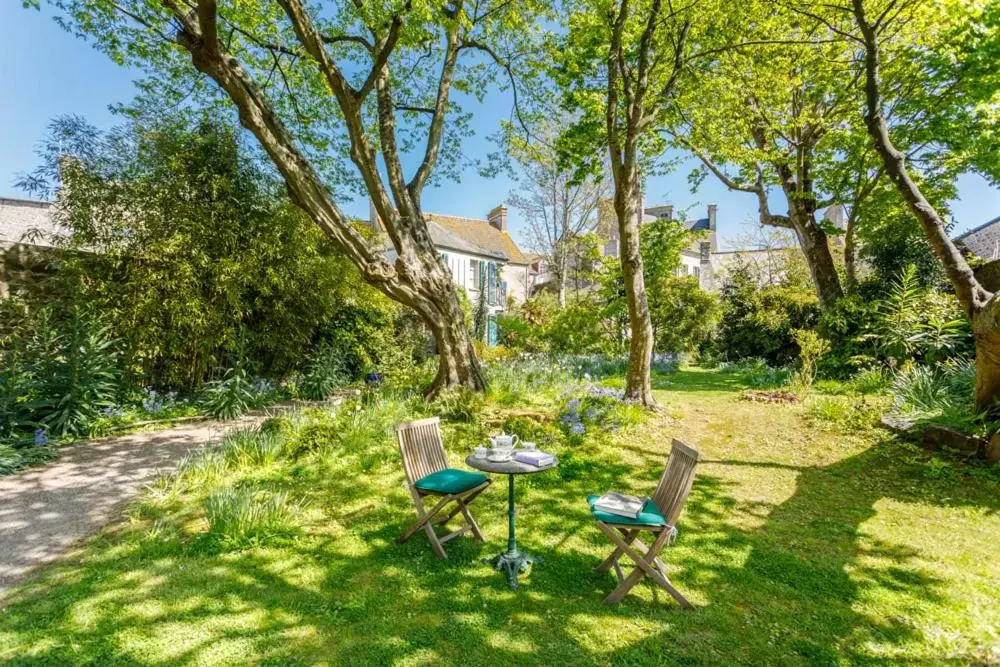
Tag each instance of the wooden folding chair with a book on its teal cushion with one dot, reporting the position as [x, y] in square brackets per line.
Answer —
[659, 516]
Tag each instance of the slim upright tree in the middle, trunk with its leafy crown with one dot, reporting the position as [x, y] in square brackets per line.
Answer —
[620, 64]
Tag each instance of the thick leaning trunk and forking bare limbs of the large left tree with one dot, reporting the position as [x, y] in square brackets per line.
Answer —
[418, 278]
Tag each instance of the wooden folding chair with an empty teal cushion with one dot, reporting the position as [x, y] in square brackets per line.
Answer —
[428, 474]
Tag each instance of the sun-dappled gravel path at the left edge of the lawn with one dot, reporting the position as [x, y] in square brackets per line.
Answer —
[44, 511]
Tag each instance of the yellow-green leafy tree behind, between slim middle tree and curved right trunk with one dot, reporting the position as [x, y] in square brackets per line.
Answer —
[768, 117]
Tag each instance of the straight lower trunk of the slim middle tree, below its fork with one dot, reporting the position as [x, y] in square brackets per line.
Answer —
[637, 381]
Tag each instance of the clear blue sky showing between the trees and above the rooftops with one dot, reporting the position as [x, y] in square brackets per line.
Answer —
[45, 72]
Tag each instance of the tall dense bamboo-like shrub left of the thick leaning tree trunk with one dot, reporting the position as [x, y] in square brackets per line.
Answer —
[202, 256]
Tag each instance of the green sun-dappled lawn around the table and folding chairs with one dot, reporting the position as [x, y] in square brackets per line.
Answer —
[809, 538]
